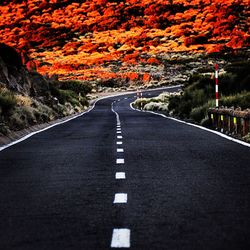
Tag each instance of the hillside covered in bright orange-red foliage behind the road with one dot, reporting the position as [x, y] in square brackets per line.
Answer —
[130, 39]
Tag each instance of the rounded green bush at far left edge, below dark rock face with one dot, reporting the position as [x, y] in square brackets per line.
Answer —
[7, 101]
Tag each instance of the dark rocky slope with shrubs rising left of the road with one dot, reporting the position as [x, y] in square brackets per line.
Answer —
[27, 98]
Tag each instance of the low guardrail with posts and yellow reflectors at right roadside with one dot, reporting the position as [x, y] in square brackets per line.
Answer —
[230, 121]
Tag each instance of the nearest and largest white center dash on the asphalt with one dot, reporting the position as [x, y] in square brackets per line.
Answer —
[120, 238]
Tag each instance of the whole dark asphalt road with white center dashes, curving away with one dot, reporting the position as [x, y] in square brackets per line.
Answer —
[173, 187]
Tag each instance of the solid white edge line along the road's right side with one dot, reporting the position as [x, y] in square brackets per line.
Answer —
[194, 125]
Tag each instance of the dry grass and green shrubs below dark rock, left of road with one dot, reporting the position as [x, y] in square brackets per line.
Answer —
[18, 111]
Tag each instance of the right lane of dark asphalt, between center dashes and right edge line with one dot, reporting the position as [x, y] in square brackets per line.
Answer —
[188, 188]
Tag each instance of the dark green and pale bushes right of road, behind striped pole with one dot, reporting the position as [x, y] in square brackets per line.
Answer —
[198, 94]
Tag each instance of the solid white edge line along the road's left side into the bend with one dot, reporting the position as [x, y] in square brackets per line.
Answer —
[62, 122]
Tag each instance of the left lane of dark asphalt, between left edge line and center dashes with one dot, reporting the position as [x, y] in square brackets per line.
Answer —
[57, 187]
